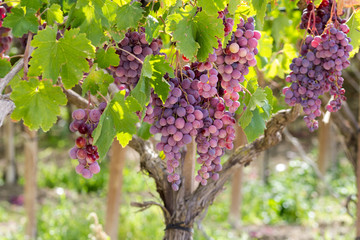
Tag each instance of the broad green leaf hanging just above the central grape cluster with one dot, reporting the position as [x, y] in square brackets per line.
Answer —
[195, 36]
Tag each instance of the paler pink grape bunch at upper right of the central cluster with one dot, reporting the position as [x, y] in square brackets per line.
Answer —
[234, 61]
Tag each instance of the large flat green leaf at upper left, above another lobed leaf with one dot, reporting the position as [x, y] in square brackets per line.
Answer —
[65, 57]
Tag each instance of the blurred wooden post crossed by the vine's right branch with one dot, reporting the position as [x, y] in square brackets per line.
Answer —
[236, 183]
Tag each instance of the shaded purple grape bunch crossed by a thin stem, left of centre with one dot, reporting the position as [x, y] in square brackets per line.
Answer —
[132, 51]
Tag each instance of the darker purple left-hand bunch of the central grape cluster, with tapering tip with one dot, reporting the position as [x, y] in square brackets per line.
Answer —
[178, 120]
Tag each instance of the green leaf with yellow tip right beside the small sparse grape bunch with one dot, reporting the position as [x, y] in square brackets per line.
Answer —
[118, 120]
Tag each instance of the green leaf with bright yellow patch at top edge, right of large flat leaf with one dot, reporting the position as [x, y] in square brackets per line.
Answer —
[88, 16]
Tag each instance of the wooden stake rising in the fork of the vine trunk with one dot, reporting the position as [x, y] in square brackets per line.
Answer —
[189, 168]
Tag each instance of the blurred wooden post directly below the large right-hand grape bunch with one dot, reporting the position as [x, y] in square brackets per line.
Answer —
[324, 144]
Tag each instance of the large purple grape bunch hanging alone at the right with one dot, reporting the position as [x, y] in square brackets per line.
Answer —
[318, 70]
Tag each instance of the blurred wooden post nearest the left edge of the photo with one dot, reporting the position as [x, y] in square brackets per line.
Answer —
[10, 170]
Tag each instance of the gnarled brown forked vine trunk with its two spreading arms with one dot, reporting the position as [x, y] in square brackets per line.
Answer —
[180, 209]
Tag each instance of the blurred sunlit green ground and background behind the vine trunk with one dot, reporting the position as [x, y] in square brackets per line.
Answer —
[301, 189]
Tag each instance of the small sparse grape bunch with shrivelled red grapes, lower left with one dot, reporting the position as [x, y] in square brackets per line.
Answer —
[85, 121]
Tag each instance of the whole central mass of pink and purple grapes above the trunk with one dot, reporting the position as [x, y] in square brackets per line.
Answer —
[199, 106]
